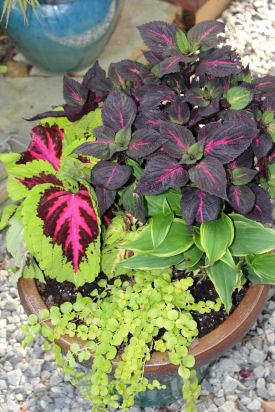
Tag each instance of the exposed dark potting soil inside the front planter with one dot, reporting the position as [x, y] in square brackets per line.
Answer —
[55, 293]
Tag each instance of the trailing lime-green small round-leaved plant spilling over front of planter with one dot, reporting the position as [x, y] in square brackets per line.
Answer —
[152, 302]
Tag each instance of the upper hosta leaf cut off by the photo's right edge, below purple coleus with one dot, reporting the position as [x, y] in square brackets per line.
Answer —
[250, 237]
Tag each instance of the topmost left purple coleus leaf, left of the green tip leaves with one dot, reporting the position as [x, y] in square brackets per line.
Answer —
[158, 35]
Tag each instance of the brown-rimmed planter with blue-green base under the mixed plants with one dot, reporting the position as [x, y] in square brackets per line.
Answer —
[205, 350]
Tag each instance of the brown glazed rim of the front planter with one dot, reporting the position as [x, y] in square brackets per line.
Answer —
[204, 350]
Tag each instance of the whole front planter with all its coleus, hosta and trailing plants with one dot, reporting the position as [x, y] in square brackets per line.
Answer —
[140, 202]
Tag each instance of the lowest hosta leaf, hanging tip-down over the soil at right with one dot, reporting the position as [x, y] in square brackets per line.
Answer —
[225, 280]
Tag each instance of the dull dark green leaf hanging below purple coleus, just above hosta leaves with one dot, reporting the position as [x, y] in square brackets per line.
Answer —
[133, 202]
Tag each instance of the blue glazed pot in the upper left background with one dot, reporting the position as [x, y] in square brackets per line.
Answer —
[68, 37]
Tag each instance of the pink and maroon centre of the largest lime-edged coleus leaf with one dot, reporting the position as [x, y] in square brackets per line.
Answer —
[70, 221]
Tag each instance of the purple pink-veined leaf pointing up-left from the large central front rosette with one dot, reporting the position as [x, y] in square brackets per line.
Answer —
[178, 139]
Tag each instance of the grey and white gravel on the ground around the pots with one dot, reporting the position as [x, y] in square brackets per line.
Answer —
[29, 379]
